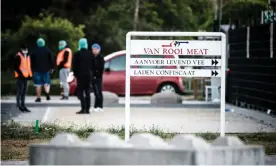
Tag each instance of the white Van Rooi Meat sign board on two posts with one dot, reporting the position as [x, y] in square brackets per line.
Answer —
[162, 48]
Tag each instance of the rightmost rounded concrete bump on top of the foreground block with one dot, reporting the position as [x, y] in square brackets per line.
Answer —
[227, 141]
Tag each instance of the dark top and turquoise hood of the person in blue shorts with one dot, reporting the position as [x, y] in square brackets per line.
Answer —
[41, 58]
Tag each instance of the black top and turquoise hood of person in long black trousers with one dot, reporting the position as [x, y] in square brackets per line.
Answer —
[83, 61]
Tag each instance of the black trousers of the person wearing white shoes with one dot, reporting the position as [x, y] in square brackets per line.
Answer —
[97, 88]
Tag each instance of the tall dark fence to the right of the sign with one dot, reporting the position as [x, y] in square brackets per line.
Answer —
[252, 62]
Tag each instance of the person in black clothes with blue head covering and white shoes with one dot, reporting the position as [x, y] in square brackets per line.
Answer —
[97, 79]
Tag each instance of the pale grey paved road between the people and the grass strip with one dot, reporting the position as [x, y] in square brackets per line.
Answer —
[252, 119]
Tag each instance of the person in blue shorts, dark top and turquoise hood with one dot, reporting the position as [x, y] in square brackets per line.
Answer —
[42, 64]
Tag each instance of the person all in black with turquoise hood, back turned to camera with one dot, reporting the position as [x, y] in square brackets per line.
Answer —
[83, 67]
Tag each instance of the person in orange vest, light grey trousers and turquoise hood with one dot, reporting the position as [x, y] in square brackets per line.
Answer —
[63, 62]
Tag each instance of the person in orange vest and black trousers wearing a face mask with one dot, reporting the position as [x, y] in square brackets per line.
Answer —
[22, 73]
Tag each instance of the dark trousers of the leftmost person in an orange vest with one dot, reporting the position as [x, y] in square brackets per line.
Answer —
[21, 89]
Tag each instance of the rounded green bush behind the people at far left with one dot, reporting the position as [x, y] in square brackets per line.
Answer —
[52, 29]
